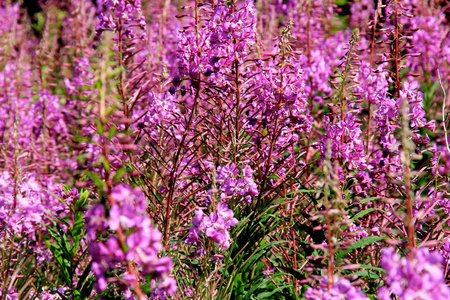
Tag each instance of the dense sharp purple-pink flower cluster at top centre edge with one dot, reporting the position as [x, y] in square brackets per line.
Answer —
[226, 38]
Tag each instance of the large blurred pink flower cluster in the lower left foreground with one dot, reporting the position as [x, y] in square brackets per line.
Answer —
[135, 240]
